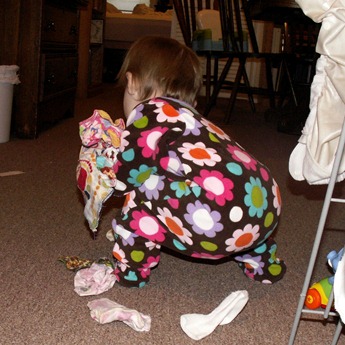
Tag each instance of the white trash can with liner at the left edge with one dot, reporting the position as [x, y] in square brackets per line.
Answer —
[8, 77]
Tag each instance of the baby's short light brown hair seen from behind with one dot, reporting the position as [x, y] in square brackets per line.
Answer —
[163, 64]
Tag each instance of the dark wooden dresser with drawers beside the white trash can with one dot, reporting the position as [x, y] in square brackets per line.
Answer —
[47, 55]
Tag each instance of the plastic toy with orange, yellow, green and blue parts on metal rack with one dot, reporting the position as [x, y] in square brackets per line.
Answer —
[318, 294]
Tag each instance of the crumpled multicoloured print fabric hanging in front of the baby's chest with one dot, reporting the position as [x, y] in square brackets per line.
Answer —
[100, 138]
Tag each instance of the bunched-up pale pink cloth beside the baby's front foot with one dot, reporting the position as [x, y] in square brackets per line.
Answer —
[94, 280]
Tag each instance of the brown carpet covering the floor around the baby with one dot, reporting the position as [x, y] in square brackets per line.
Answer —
[41, 217]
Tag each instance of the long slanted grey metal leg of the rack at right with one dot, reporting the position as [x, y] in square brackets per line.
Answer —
[322, 221]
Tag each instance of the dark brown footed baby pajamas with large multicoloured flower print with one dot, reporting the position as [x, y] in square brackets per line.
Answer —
[194, 190]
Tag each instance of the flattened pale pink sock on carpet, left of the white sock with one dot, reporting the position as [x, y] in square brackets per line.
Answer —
[104, 311]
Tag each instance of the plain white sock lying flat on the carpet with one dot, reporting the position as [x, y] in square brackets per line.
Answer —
[198, 326]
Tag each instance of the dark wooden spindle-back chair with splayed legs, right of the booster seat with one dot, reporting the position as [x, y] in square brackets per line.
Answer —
[236, 25]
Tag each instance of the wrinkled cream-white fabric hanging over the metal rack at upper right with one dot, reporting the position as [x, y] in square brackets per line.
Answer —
[313, 157]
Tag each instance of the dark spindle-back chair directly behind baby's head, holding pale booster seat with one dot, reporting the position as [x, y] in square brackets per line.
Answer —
[186, 11]
